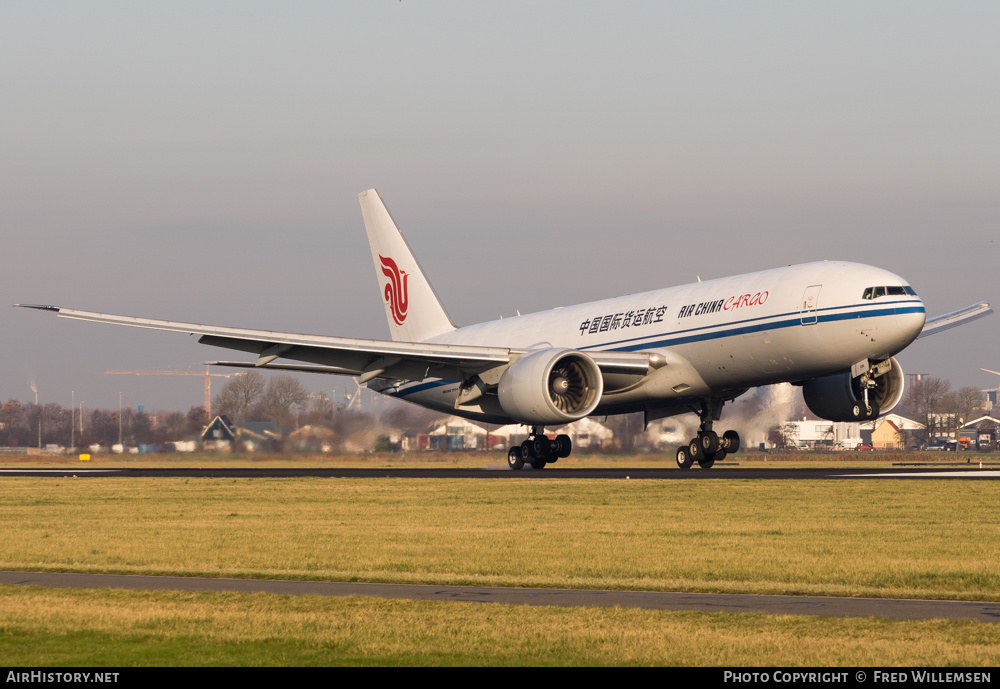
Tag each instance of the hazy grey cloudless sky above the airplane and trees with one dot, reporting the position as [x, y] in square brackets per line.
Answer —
[200, 161]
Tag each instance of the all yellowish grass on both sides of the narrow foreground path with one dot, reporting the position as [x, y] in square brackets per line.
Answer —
[926, 539]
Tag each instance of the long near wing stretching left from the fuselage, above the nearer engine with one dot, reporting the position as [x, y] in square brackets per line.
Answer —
[368, 359]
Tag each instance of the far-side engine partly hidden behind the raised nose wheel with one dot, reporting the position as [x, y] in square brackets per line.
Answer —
[840, 397]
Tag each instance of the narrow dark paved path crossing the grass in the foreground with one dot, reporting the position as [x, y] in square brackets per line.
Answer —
[824, 606]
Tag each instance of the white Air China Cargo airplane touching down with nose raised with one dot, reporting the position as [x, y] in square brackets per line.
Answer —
[831, 327]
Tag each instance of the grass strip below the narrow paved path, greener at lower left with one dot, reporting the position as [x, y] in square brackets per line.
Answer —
[120, 628]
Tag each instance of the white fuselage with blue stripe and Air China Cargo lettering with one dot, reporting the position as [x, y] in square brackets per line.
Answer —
[785, 324]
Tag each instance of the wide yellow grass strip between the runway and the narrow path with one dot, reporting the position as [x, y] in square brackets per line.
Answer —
[880, 538]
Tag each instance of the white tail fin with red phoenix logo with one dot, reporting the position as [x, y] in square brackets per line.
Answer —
[412, 308]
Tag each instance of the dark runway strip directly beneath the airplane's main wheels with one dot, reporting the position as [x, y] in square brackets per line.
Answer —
[625, 473]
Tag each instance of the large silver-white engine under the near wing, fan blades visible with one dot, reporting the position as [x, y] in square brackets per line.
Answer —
[551, 386]
